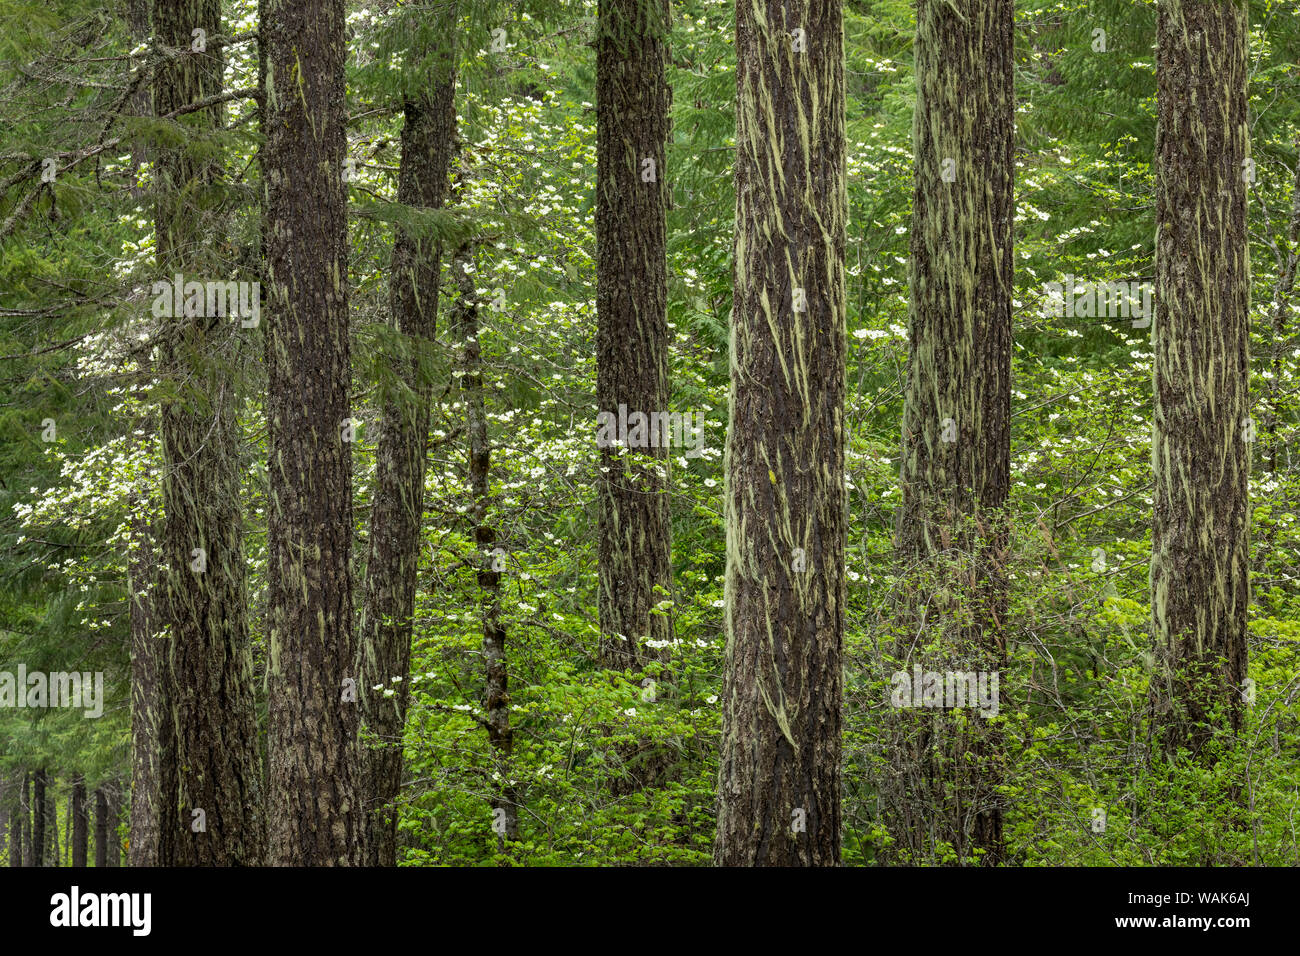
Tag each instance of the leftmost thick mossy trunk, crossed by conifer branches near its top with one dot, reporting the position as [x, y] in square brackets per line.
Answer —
[211, 659]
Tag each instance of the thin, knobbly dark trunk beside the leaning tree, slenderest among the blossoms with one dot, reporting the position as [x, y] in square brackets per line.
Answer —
[501, 739]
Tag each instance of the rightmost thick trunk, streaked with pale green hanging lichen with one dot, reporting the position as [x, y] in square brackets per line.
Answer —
[1201, 455]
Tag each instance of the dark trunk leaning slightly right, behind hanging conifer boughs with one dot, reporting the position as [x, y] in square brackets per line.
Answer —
[428, 142]
